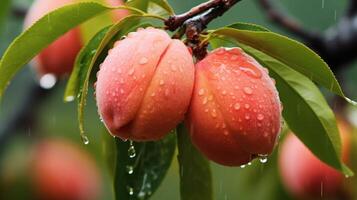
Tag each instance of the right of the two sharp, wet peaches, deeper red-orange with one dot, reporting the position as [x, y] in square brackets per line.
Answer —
[235, 112]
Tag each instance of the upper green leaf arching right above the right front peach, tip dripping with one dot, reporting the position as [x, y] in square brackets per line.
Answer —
[288, 51]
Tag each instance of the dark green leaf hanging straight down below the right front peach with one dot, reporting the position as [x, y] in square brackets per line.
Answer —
[195, 171]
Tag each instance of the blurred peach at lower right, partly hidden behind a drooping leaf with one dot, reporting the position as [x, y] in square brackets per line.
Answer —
[305, 175]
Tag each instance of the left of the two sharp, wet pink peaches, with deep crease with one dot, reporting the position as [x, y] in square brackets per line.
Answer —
[144, 85]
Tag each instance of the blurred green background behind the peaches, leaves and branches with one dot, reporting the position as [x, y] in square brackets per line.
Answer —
[58, 119]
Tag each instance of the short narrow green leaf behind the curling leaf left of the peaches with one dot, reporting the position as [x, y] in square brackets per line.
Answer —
[85, 56]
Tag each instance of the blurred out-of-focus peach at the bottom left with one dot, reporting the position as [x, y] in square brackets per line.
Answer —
[62, 171]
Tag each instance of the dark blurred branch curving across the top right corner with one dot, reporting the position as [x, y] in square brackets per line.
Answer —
[336, 46]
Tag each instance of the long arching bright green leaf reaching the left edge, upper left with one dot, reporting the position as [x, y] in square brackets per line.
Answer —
[43, 33]
